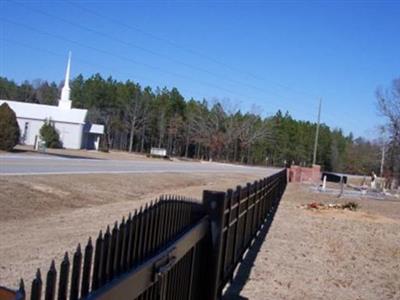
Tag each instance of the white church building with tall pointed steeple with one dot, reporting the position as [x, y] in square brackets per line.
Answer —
[74, 131]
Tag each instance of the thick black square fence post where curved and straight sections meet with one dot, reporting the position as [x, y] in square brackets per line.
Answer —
[214, 204]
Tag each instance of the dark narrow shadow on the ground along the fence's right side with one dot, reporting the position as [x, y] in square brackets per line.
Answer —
[243, 272]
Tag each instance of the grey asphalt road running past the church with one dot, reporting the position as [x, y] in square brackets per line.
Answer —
[22, 164]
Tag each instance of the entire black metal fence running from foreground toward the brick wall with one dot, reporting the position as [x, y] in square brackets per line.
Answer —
[174, 248]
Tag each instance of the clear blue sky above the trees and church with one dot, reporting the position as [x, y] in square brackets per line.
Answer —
[254, 55]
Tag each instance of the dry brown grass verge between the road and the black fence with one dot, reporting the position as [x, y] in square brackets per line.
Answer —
[43, 216]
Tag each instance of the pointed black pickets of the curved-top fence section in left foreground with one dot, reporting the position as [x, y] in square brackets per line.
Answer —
[114, 245]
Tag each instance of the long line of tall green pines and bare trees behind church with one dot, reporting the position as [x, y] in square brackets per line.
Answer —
[137, 118]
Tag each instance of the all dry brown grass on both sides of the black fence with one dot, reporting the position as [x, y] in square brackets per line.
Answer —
[329, 254]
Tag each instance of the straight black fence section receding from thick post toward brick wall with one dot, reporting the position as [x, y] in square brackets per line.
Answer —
[242, 214]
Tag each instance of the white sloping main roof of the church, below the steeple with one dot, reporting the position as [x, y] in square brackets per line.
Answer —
[42, 112]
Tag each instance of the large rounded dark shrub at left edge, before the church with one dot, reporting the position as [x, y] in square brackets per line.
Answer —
[9, 129]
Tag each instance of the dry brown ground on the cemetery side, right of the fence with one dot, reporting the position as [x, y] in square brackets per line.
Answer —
[327, 254]
